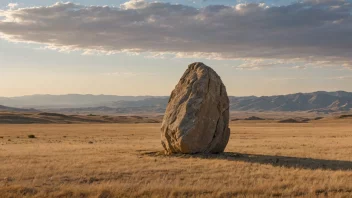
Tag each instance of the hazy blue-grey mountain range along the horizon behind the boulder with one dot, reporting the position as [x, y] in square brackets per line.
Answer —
[320, 101]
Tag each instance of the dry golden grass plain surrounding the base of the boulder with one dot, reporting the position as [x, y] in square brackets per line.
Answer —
[263, 159]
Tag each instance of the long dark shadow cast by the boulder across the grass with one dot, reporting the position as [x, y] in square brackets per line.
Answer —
[281, 161]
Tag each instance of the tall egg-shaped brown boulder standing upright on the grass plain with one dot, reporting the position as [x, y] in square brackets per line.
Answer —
[197, 115]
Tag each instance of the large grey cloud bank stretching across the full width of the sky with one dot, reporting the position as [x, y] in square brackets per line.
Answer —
[314, 32]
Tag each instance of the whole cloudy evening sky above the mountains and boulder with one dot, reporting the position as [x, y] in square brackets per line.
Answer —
[141, 47]
